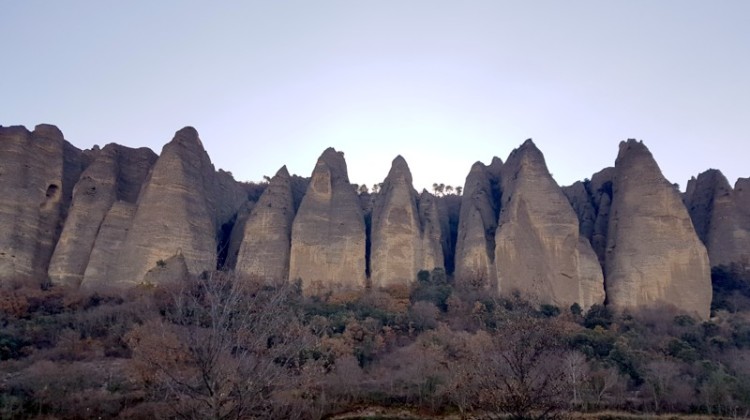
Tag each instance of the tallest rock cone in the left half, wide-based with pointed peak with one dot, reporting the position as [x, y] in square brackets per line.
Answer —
[180, 211]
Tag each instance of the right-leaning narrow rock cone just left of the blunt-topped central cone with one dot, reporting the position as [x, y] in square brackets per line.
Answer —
[264, 252]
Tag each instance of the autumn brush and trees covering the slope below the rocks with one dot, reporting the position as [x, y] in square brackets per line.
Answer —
[220, 346]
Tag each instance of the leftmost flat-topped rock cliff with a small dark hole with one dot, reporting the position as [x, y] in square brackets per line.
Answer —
[37, 173]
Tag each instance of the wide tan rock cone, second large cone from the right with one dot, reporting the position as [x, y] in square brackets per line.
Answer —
[538, 249]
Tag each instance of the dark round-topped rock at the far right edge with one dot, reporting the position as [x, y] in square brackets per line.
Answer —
[719, 218]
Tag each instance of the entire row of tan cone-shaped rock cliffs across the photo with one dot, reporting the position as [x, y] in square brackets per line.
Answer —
[118, 217]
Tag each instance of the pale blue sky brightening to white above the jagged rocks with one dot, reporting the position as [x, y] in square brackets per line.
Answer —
[442, 83]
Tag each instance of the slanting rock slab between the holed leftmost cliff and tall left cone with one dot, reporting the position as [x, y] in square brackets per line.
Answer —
[117, 173]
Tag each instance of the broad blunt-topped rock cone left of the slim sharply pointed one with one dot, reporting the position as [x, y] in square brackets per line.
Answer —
[328, 234]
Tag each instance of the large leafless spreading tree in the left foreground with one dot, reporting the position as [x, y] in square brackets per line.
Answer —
[223, 349]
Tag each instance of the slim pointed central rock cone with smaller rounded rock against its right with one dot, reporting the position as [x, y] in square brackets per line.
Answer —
[400, 245]
